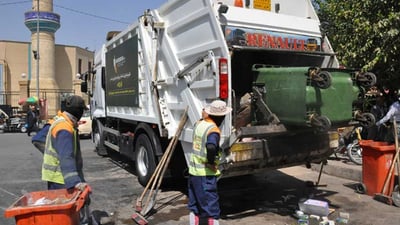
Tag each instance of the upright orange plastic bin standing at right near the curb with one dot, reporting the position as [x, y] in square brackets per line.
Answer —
[377, 159]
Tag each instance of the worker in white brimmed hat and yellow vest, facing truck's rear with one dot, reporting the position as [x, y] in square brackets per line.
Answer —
[203, 166]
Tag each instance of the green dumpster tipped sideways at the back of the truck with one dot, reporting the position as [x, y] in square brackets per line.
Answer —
[295, 99]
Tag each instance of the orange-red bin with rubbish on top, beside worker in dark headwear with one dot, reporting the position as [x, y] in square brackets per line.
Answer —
[61, 208]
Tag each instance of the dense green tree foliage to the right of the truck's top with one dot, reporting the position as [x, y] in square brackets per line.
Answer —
[365, 34]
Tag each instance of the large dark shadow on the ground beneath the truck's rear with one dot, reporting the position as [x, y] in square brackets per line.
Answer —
[274, 192]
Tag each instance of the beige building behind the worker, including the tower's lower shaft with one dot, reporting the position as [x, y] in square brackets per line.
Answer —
[18, 74]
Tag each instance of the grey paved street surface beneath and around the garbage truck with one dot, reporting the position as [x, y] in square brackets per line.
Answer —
[270, 198]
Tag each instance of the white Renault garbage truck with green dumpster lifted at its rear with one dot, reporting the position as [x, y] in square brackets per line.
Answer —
[267, 59]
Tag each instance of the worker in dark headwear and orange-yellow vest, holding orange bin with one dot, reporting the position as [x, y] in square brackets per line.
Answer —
[62, 158]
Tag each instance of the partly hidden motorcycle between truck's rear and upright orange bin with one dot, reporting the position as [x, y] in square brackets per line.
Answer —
[349, 146]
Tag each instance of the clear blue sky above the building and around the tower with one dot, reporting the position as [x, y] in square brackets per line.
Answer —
[84, 23]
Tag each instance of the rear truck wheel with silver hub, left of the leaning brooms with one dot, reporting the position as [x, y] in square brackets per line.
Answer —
[145, 162]
